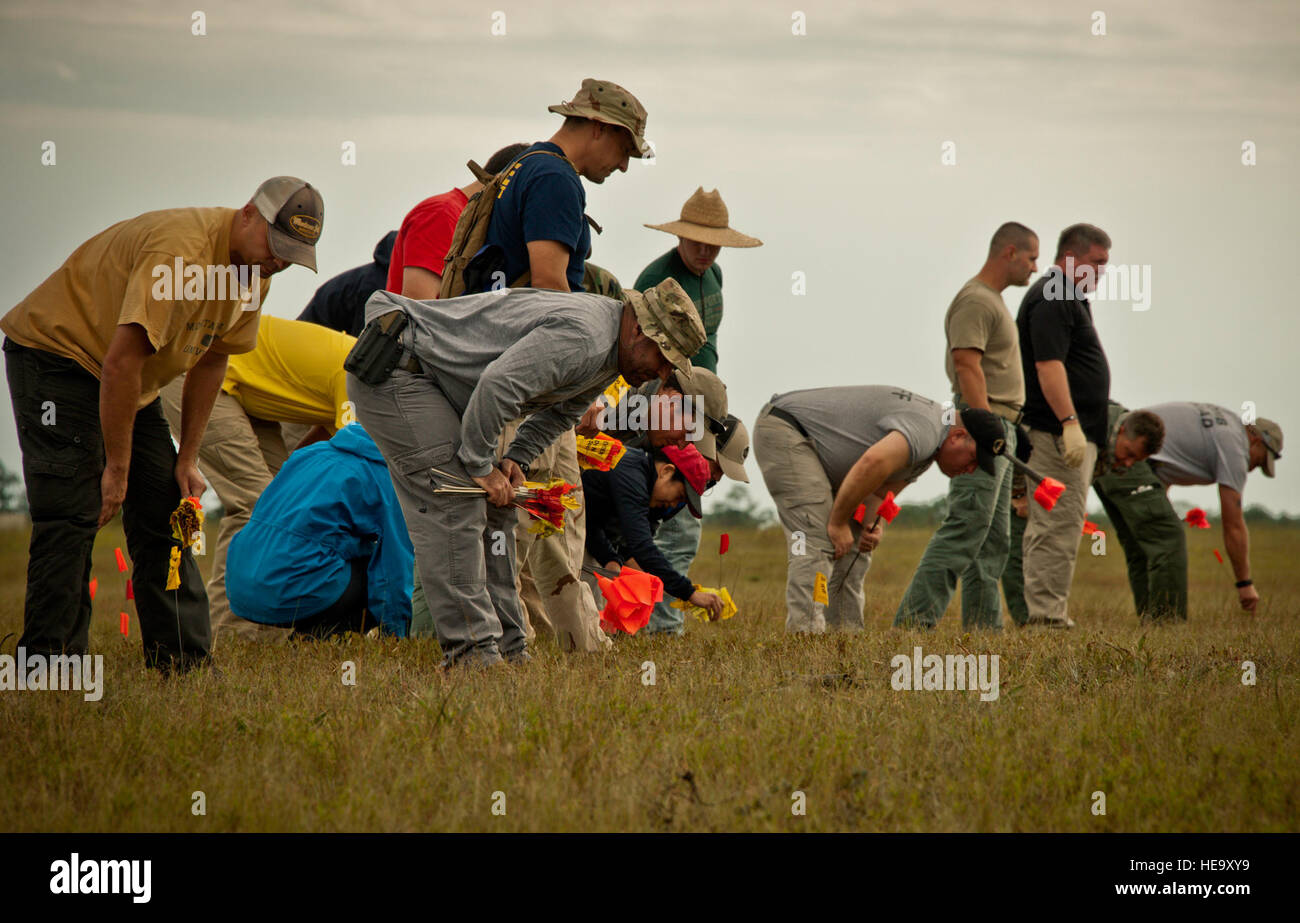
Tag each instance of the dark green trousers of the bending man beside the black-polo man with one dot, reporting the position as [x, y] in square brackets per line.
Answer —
[1152, 538]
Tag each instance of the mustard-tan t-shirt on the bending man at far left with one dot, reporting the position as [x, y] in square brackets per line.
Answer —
[129, 275]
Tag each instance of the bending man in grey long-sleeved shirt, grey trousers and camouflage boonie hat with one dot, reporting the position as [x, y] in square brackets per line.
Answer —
[436, 383]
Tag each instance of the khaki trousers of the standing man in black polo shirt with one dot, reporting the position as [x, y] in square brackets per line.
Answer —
[1052, 538]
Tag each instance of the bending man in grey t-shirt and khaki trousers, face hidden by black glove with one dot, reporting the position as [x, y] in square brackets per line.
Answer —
[826, 450]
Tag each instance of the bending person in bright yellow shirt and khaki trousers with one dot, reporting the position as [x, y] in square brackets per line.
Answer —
[294, 375]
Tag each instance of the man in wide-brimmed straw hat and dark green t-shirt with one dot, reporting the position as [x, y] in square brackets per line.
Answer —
[701, 232]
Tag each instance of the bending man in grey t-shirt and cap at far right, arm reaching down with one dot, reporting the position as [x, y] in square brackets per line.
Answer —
[1206, 444]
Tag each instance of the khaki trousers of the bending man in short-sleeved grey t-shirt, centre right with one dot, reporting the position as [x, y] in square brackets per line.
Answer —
[804, 499]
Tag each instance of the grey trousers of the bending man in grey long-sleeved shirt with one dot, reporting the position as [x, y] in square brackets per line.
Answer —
[471, 591]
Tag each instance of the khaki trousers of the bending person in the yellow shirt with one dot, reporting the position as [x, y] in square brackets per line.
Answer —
[239, 457]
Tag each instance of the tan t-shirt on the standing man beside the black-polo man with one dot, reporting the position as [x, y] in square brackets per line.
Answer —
[978, 320]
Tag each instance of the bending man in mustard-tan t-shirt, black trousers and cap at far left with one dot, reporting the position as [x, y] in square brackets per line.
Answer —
[86, 354]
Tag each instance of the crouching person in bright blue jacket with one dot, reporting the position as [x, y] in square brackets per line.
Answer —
[327, 549]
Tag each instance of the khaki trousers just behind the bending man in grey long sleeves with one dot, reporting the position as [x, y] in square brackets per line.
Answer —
[554, 565]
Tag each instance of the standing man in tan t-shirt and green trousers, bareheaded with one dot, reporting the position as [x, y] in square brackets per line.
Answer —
[983, 365]
